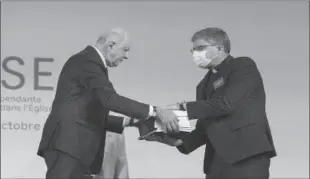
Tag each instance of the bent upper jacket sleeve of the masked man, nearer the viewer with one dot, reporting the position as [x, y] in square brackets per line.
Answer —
[243, 78]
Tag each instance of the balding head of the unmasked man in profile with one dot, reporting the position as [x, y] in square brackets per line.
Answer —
[114, 44]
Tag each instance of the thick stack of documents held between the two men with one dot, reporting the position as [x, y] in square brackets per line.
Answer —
[152, 127]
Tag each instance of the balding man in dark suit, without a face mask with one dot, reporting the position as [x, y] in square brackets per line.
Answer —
[73, 138]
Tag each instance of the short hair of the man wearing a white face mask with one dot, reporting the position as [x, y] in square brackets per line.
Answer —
[215, 36]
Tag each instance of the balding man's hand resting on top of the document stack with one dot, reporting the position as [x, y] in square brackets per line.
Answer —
[168, 119]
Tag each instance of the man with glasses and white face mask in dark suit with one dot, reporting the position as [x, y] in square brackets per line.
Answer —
[230, 108]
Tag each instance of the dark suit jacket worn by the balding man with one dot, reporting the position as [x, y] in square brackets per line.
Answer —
[78, 120]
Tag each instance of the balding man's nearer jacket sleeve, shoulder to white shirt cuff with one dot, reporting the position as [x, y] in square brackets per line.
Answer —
[95, 79]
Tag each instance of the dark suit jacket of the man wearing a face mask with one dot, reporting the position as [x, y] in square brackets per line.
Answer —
[230, 108]
